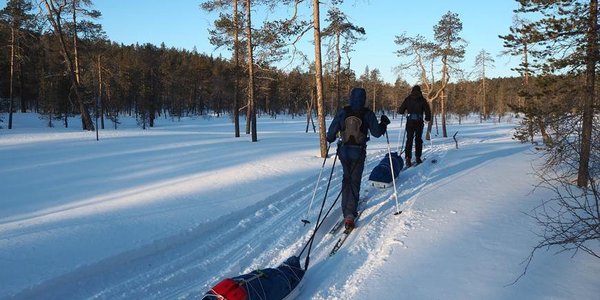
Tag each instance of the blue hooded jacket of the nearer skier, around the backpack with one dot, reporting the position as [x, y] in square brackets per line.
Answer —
[358, 98]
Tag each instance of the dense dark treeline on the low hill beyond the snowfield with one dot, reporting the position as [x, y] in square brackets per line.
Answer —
[148, 81]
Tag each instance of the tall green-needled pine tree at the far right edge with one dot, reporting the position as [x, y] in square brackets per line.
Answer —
[567, 36]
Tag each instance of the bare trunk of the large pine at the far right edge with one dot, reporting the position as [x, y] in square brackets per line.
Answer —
[588, 107]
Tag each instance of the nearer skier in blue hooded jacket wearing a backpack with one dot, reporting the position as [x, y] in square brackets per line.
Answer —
[353, 123]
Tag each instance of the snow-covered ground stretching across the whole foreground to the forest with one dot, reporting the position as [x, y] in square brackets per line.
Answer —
[167, 212]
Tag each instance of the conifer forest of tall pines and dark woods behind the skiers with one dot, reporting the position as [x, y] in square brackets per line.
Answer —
[57, 61]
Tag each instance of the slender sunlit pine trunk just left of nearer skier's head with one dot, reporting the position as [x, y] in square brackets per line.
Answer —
[319, 78]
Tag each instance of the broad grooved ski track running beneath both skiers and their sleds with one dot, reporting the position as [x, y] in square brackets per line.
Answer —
[186, 265]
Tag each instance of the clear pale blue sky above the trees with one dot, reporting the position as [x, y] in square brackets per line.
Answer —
[182, 24]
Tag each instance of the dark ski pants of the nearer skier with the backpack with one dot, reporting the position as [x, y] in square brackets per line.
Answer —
[353, 168]
